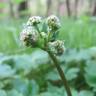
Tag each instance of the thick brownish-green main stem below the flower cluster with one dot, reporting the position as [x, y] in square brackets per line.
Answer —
[61, 73]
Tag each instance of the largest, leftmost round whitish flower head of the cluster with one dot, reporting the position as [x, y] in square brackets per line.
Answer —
[29, 36]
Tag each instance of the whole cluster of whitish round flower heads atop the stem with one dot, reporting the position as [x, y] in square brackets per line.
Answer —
[34, 36]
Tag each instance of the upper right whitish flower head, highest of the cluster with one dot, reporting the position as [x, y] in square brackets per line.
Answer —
[53, 22]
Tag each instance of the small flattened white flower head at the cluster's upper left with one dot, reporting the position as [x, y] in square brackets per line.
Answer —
[34, 20]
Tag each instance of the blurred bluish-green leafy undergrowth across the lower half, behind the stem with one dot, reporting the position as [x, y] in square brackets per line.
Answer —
[35, 75]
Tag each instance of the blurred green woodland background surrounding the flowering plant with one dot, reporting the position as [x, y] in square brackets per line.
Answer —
[29, 72]
